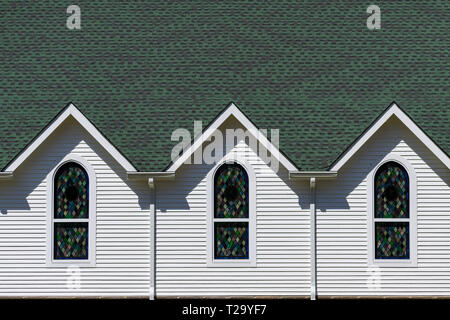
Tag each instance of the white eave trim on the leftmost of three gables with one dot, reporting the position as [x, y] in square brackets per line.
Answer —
[71, 110]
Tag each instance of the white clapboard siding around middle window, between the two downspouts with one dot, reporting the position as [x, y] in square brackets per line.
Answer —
[283, 236]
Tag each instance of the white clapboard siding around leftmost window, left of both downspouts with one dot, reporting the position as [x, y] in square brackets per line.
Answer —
[122, 248]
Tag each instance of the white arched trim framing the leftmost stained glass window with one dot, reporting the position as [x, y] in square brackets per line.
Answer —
[91, 261]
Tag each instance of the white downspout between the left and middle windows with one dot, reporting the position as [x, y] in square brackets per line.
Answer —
[152, 234]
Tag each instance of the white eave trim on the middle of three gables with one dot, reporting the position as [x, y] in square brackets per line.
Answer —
[233, 110]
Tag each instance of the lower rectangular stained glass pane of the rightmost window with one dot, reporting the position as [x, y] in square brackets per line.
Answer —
[392, 240]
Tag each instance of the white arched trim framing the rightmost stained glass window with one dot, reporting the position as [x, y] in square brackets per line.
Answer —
[412, 261]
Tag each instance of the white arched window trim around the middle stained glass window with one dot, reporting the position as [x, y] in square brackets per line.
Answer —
[251, 261]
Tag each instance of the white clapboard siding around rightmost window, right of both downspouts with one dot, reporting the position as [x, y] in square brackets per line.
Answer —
[342, 247]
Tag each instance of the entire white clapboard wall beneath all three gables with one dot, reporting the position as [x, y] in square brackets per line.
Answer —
[282, 219]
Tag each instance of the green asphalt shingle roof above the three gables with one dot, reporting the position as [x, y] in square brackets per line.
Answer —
[138, 70]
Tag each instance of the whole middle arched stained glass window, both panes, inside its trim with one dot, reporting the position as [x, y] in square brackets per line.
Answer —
[231, 212]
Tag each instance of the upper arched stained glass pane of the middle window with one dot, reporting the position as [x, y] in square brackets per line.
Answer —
[231, 192]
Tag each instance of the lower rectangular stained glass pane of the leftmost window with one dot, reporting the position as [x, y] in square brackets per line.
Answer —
[71, 240]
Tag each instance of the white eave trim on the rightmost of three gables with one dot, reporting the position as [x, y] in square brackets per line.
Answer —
[393, 110]
